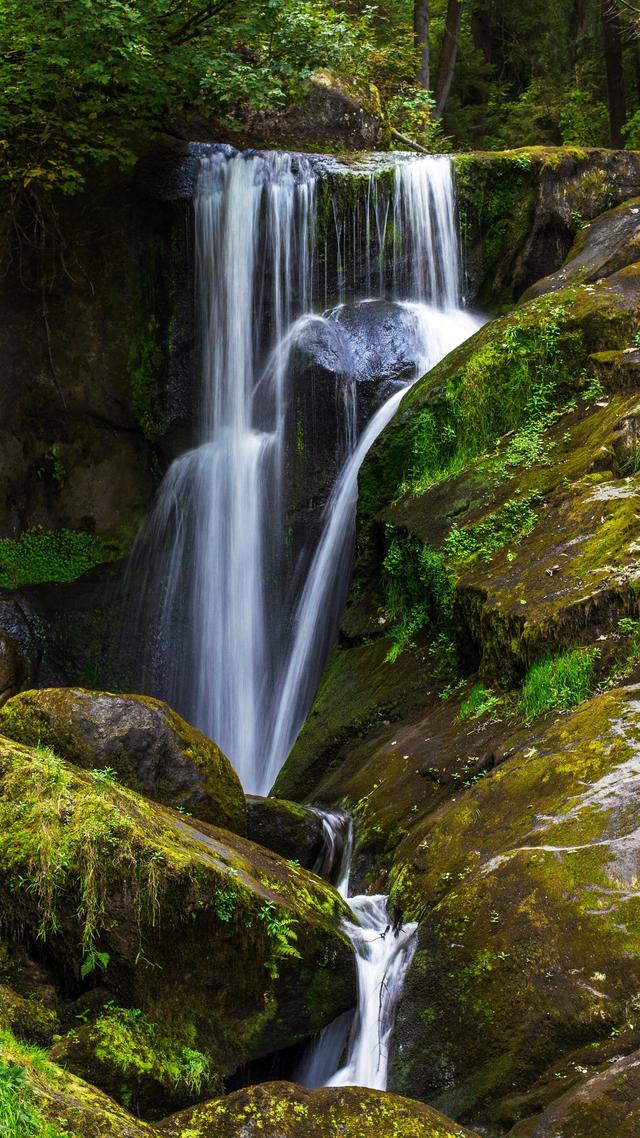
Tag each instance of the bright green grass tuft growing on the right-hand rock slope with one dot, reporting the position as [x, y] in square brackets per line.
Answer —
[559, 682]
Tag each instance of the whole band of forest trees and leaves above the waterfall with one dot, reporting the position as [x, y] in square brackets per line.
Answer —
[84, 81]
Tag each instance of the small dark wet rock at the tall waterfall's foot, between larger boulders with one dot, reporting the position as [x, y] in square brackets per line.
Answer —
[290, 830]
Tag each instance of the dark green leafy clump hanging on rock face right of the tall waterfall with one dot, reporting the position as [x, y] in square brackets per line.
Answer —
[419, 590]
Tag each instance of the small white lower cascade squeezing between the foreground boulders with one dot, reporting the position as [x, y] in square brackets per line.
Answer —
[383, 954]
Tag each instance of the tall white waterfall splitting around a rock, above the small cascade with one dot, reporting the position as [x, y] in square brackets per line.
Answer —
[239, 631]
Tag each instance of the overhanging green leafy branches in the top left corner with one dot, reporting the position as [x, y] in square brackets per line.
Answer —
[83, 83]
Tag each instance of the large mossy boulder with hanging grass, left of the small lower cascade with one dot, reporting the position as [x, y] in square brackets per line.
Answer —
[217, 949]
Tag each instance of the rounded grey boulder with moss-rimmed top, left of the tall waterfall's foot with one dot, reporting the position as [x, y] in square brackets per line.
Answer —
[147, 745]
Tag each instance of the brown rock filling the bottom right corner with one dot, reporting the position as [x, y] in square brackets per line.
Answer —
[606, 1102]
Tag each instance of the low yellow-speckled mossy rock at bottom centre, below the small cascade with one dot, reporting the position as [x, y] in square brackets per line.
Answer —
[282, 1110]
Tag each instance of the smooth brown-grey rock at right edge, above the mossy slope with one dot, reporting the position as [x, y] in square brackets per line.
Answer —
[603, 248]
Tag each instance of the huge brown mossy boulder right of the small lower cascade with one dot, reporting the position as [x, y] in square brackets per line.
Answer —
[529, 946]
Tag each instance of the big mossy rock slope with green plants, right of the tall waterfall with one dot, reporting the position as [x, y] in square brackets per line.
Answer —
[447, 476]
